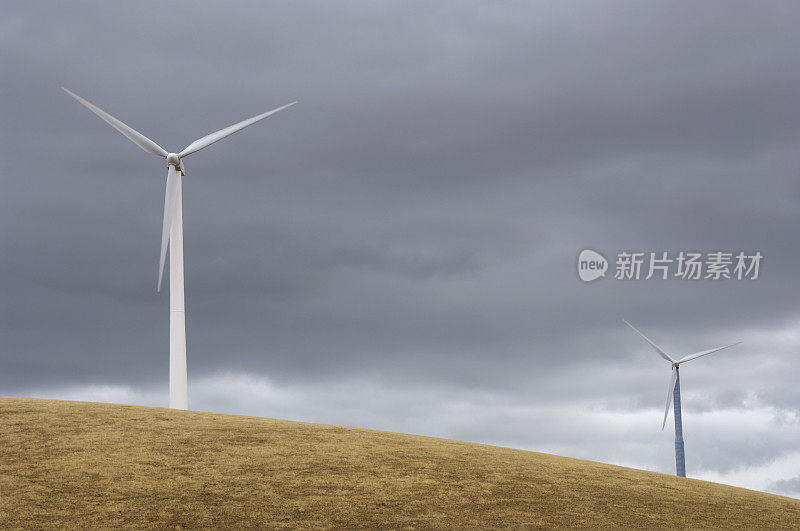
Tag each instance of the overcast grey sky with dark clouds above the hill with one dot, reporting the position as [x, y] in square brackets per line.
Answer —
[398, 251]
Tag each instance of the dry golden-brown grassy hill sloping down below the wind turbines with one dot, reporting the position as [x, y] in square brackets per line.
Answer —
[69, 464]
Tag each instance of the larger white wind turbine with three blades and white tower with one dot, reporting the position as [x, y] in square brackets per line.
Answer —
[172, 233]
